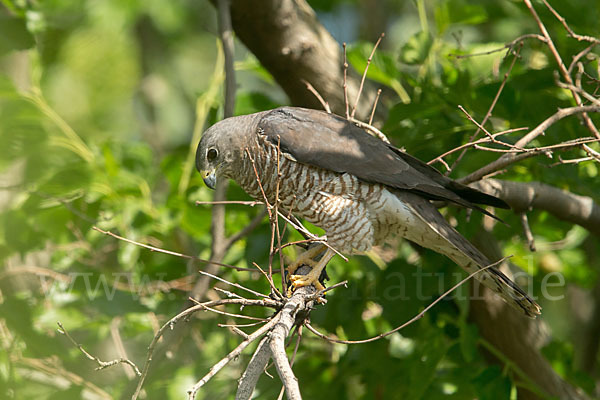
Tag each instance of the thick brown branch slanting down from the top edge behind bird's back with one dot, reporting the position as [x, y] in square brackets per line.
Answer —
[291, 43]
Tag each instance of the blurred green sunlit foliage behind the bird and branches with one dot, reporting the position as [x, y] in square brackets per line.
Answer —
[101, 106]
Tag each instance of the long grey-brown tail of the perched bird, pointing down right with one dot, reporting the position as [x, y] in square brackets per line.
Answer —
[444, 239]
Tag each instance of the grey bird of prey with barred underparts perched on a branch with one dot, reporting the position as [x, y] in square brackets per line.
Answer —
[356, 187]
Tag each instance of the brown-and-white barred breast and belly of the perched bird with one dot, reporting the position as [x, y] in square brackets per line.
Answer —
[354, 214]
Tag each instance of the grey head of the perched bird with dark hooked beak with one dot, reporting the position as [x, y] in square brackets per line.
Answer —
[222, 145]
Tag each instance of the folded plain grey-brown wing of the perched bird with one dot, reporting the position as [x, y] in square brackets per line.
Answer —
[330, 142]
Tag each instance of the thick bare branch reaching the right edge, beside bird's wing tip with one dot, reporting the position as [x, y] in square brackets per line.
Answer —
[521, 196]
